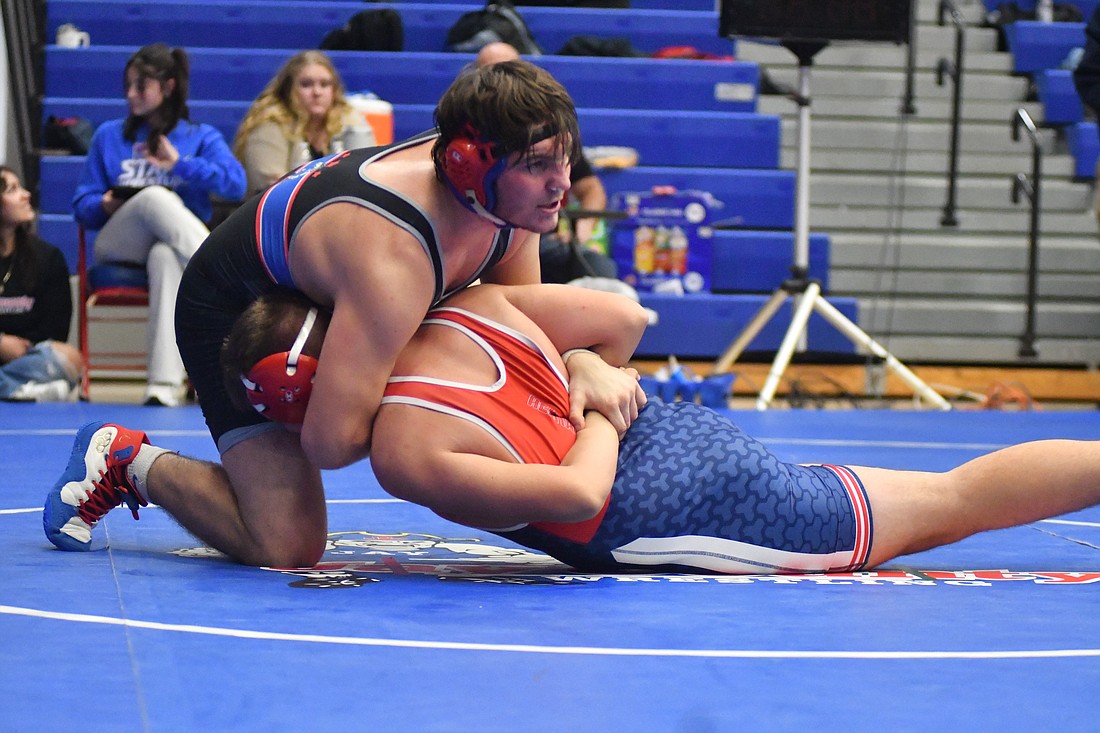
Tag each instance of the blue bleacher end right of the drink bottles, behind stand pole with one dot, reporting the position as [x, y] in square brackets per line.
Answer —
[760, 261]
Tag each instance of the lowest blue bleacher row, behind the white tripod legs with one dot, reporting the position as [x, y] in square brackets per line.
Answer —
[702, 326]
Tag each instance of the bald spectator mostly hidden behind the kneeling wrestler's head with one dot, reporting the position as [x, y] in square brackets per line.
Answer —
[560, 260]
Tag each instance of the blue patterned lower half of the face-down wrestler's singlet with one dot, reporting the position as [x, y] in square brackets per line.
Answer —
[695, 494]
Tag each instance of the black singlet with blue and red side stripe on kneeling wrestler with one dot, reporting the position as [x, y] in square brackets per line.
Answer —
[232, 269]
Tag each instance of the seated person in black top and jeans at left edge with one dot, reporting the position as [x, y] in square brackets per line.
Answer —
[37, 365]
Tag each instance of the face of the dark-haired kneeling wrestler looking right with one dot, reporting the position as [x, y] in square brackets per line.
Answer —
[531, 192]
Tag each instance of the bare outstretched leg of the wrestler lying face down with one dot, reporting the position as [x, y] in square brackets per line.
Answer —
[916, 511]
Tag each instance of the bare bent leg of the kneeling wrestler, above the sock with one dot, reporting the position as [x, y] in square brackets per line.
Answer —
[265, 506]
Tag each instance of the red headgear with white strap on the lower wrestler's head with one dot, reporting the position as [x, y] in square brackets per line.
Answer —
[279, 386]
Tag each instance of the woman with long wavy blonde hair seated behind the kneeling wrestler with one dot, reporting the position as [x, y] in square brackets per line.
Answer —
[302, 115]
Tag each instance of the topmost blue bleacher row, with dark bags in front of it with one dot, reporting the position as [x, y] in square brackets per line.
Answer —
[258, 25]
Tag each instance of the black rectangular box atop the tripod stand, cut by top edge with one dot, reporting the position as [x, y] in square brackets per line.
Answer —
[817, 20]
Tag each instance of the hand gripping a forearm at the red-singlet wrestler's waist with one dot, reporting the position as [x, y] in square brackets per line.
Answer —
[613, 392]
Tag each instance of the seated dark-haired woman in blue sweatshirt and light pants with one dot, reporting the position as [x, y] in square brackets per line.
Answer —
[147, 188]
